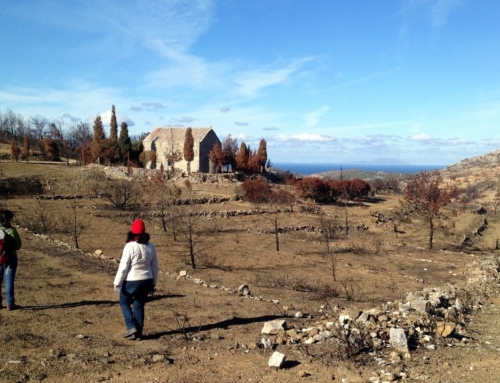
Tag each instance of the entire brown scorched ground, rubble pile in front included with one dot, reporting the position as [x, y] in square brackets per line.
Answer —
[401, 312]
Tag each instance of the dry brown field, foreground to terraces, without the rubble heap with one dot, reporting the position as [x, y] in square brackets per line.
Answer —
[69, 326]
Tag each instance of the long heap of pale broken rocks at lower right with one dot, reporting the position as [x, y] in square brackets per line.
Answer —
[429, 318]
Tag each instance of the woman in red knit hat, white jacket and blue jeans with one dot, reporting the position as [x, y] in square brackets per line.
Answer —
[136, 278]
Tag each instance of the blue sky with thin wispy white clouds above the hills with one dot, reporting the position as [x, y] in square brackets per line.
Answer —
[323, 81]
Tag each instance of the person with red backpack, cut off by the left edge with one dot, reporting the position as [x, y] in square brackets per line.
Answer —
[8, 270]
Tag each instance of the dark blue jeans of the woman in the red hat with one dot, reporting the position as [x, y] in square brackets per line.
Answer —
[133, 297]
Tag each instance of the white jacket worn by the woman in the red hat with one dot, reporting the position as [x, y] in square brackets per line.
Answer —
[139, 262]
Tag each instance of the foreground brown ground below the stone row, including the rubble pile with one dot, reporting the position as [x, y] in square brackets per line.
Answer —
[69, 329]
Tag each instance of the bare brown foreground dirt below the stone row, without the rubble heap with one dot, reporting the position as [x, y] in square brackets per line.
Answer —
[69, 330]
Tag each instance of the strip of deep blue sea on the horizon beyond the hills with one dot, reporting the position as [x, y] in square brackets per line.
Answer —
[308, 169]
